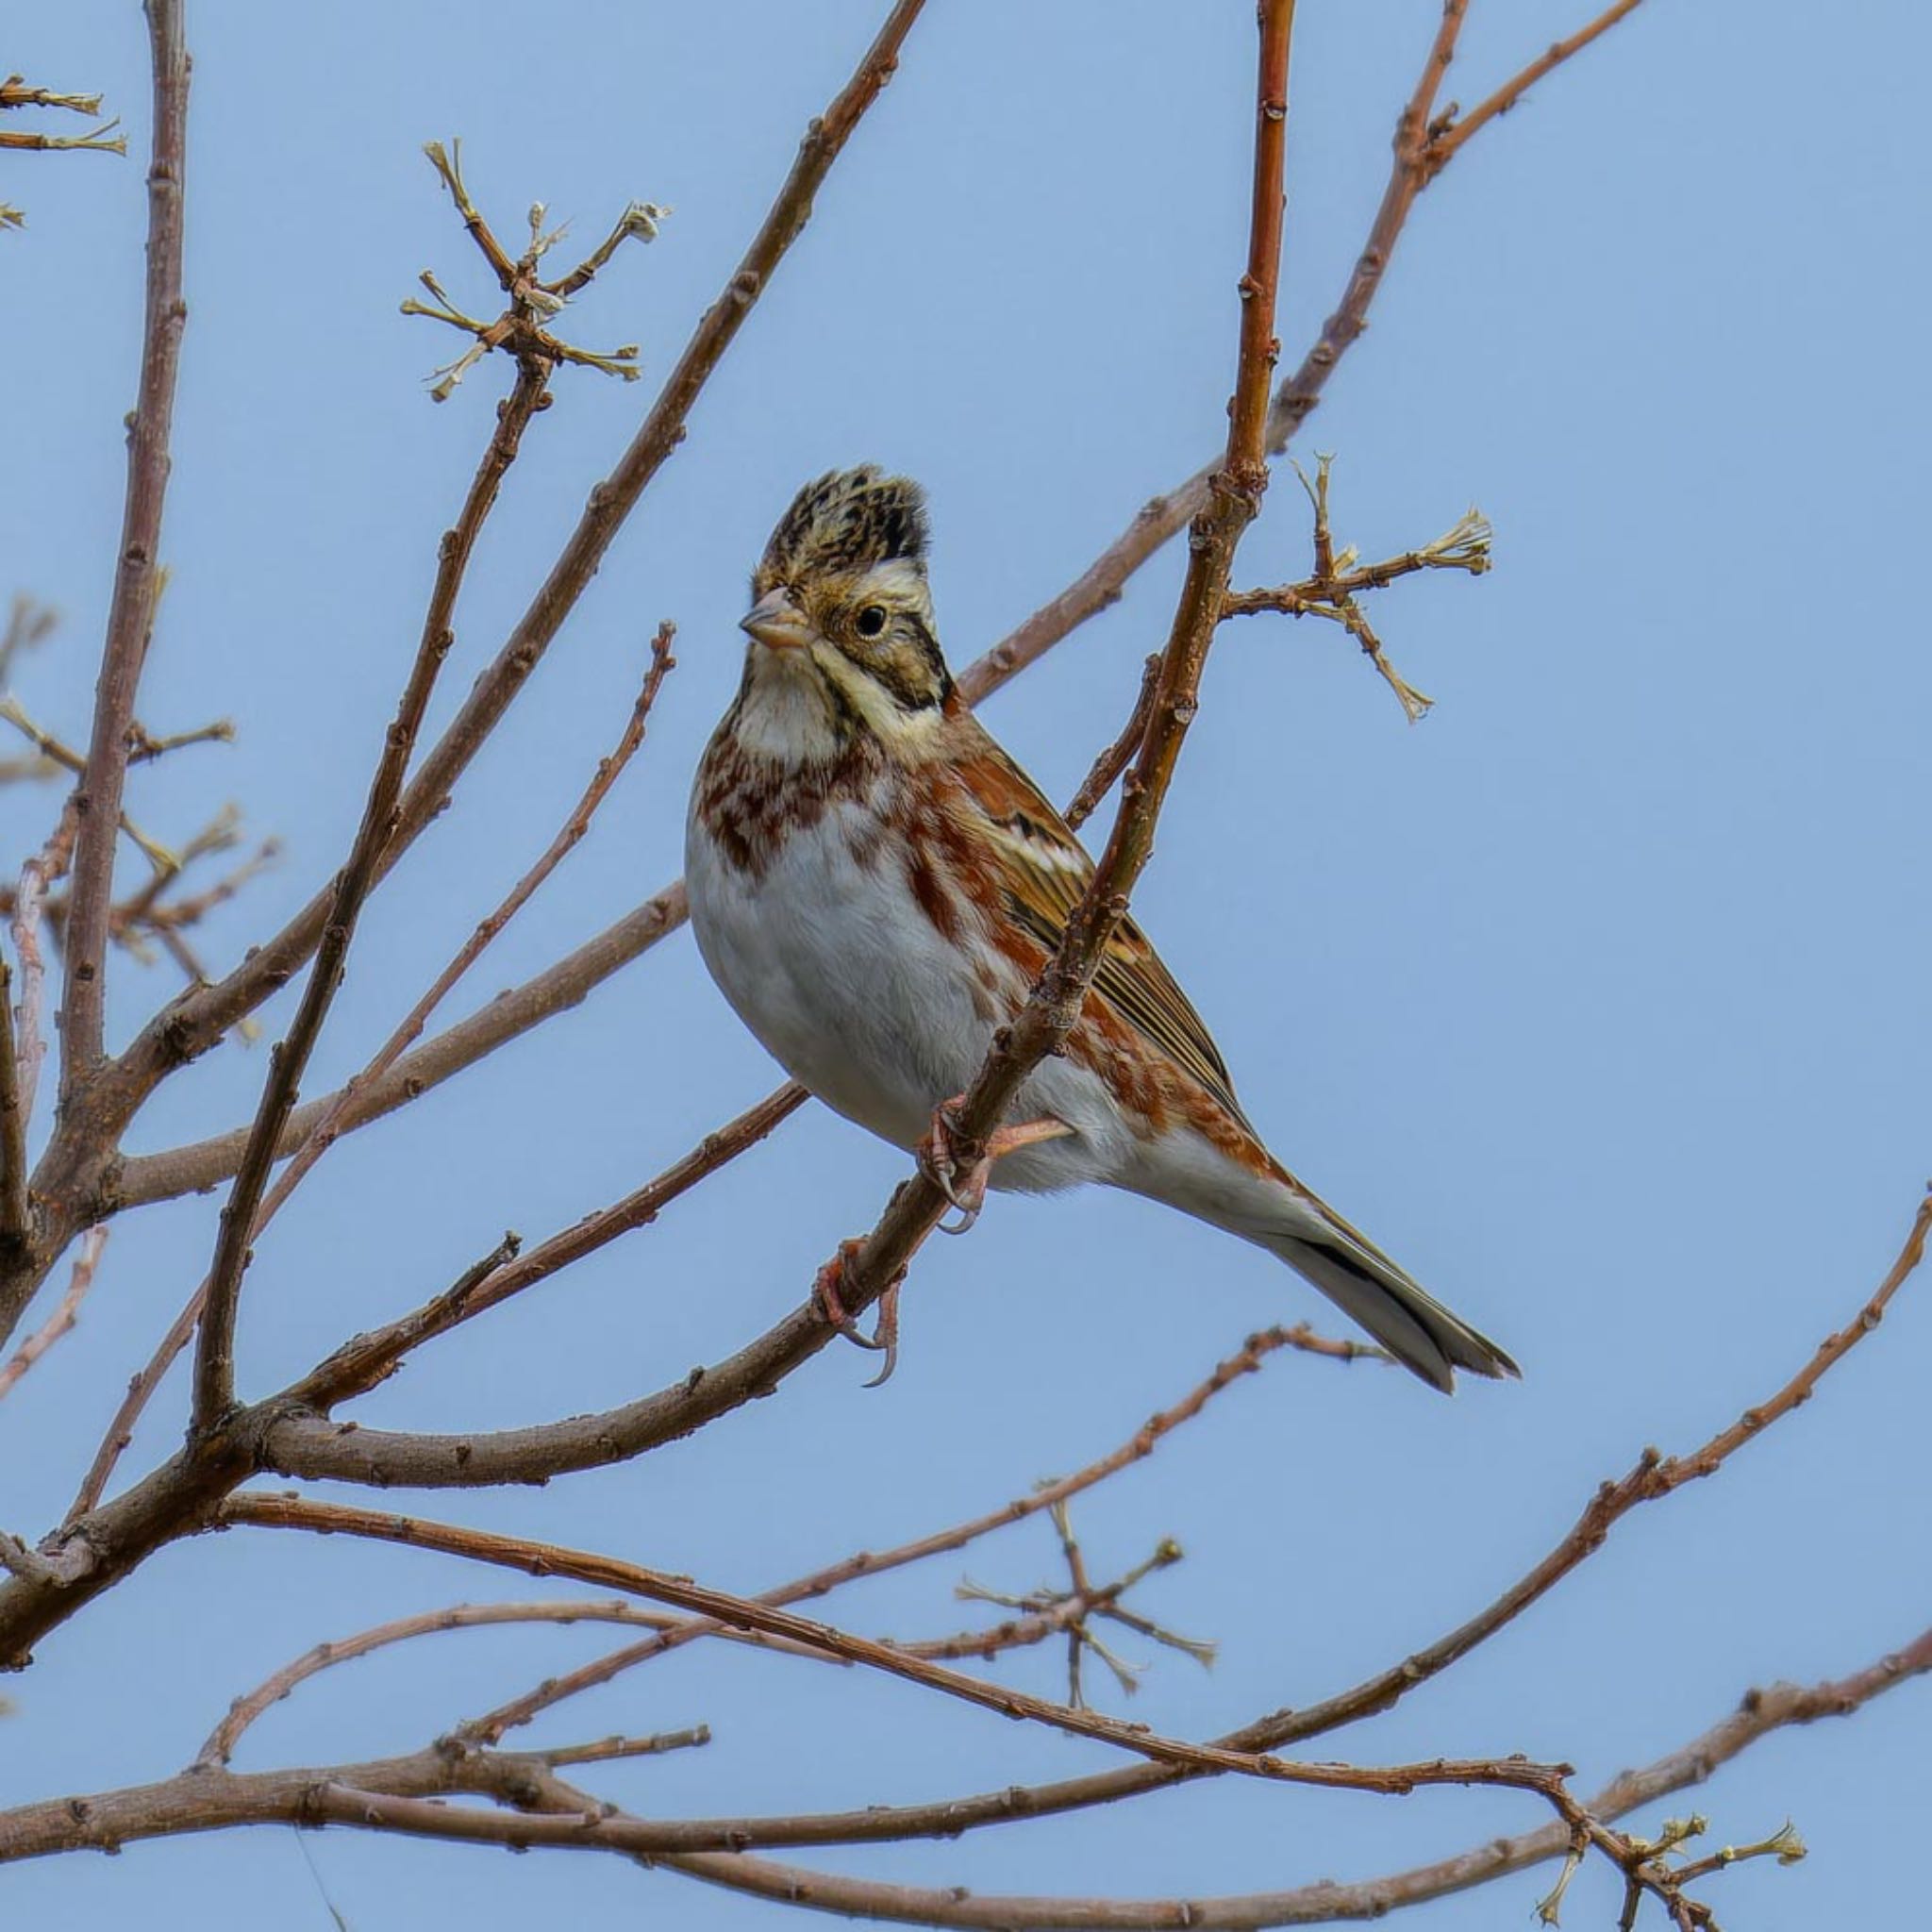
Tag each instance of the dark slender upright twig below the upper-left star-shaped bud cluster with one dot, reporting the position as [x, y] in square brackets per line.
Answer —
[213, 1394]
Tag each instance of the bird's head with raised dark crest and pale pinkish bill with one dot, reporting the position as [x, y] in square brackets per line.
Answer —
[841, 619]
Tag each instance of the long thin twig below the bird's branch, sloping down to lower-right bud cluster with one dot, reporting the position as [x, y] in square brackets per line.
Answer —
[604, 1572]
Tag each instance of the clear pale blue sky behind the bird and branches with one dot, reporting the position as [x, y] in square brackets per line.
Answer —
[1599, 998]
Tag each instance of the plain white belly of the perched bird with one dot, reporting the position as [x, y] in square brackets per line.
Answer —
[853, 990]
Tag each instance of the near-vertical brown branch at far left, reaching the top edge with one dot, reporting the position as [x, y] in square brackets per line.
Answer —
[98, 799]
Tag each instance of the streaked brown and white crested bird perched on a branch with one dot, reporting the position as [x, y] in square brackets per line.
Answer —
[876, 886]
